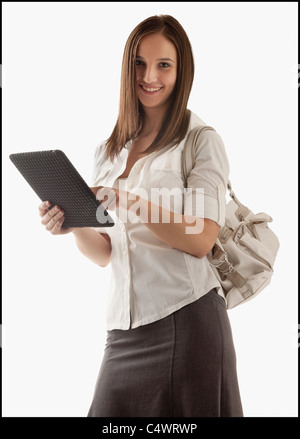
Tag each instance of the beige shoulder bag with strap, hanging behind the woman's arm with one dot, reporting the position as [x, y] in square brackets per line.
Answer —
[244, 253]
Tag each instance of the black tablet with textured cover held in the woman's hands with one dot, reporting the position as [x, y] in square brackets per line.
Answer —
[53, 177]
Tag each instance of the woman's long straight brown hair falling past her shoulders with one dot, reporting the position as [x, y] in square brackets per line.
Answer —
[130, 120]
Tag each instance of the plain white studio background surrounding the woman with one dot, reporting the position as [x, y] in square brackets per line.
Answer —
[61, 80]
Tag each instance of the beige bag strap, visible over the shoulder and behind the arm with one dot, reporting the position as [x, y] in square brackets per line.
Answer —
[189, 160]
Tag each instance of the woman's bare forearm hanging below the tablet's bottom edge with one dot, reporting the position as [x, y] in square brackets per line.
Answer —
[93, 245]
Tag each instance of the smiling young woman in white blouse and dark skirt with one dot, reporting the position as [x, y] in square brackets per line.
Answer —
[169, 349]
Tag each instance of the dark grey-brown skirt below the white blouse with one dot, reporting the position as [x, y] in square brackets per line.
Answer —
[183, 365]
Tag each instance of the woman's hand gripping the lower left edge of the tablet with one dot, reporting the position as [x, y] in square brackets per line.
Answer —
[53, 219]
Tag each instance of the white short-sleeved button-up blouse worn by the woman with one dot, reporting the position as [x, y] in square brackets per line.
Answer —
[150, 279]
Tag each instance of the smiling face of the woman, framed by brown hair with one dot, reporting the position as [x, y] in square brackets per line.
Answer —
[156, 67]
